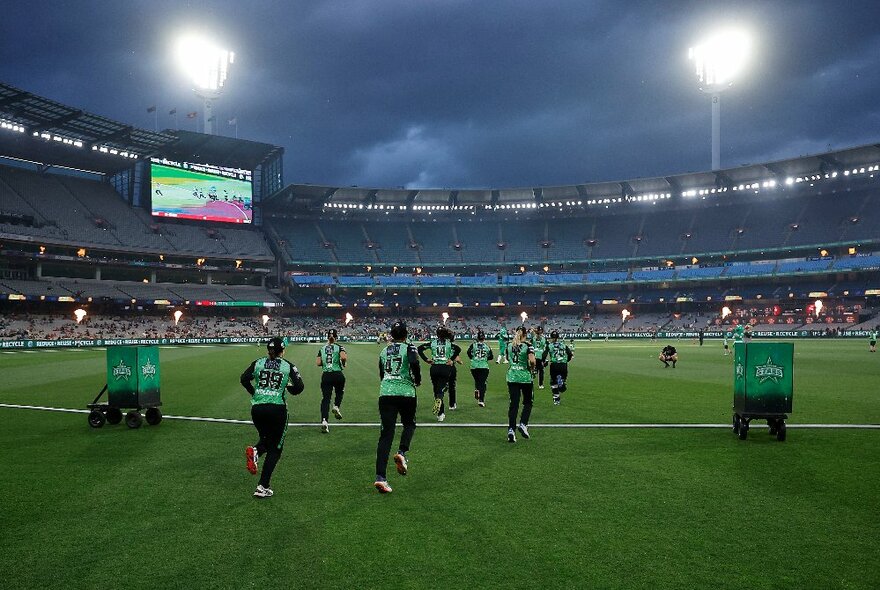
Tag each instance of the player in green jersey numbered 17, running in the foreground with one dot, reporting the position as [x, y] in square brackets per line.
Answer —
[399, 375]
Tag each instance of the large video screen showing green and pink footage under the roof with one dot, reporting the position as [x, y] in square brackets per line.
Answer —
[200, 191]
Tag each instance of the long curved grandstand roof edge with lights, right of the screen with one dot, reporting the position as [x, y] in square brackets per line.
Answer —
[315, 196]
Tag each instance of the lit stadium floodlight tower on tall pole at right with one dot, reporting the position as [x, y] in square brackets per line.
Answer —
[719, 60]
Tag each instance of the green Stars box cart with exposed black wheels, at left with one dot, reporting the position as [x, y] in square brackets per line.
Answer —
[132, 383]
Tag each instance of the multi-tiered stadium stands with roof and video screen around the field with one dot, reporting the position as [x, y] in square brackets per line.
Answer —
[96, 212]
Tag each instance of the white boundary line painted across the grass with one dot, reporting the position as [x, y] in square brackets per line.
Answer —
[465, 425]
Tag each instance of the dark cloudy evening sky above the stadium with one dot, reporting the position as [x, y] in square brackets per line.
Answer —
[457, 93]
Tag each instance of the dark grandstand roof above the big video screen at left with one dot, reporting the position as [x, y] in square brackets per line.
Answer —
[51, 128]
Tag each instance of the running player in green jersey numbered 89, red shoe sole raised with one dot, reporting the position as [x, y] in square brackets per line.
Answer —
[267, 379]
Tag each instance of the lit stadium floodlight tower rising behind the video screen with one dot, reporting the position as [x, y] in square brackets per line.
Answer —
[207, 67]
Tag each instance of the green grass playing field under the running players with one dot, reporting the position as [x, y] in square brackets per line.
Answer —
[170, 506]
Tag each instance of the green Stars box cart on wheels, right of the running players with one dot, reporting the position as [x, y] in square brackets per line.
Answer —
[762, 385]
